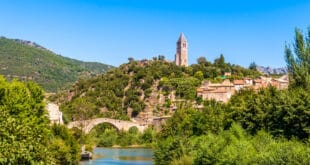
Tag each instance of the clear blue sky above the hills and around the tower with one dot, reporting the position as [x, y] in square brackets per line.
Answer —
[110, 31]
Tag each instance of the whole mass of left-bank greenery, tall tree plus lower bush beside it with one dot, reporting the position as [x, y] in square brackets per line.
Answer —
[26, 136]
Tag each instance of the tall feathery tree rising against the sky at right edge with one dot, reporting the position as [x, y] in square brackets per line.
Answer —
[298, 63]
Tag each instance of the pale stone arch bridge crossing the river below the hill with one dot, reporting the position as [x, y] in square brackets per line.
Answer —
[88, 125]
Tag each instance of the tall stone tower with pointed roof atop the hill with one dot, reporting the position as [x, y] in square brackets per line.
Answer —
[181, 54]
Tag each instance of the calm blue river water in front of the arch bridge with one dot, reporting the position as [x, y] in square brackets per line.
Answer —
[120, 156]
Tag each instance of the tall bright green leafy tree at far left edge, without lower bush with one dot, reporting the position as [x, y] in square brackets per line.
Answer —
[24, 133]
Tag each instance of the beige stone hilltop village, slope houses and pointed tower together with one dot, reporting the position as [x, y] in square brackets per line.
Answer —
[223, 91]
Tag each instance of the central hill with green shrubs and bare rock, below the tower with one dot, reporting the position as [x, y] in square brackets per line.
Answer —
[143, 88]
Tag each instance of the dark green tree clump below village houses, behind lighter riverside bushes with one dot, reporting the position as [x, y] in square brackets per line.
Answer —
[281, 113]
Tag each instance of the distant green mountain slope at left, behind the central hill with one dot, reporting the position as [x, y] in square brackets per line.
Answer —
[26, 60]
